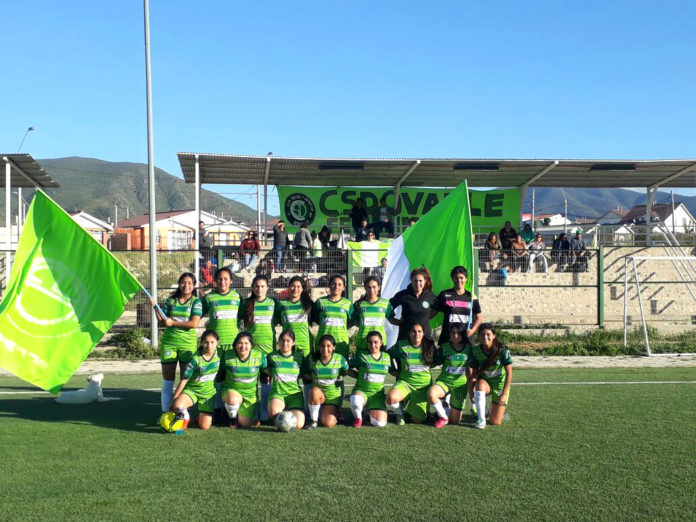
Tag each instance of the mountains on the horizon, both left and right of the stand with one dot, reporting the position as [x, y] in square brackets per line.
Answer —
[95, 186]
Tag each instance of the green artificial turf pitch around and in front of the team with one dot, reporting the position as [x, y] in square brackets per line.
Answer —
[592, 451]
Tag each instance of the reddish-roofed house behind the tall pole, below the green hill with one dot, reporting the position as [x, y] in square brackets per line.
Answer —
[175, 230]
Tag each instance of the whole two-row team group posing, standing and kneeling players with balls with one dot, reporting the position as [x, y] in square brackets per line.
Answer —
[239, 368]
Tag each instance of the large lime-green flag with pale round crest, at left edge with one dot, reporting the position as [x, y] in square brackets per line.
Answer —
[65, 292]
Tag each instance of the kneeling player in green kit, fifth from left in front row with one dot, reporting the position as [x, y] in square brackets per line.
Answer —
[370, 368]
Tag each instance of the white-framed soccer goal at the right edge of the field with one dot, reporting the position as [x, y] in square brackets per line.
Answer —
[658, 289]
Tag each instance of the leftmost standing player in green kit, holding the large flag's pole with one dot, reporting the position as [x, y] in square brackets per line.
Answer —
[178, 343]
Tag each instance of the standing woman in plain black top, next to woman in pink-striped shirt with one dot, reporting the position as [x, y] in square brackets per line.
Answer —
[416, 302]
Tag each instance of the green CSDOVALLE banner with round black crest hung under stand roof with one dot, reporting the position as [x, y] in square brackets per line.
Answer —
[331, 206]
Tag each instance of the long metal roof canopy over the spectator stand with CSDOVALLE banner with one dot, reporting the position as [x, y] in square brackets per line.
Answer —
[428, 172]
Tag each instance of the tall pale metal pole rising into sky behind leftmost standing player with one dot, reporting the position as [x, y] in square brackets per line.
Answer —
[151, 177]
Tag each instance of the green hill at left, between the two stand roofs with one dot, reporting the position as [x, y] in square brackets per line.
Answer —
[95, 186]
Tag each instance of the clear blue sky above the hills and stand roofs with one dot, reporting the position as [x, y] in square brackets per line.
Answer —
[548, 79]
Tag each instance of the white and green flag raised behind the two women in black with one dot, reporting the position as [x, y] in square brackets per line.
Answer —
[440, 240]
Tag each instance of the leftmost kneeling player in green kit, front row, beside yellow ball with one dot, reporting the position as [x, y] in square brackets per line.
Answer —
[197, 382]
